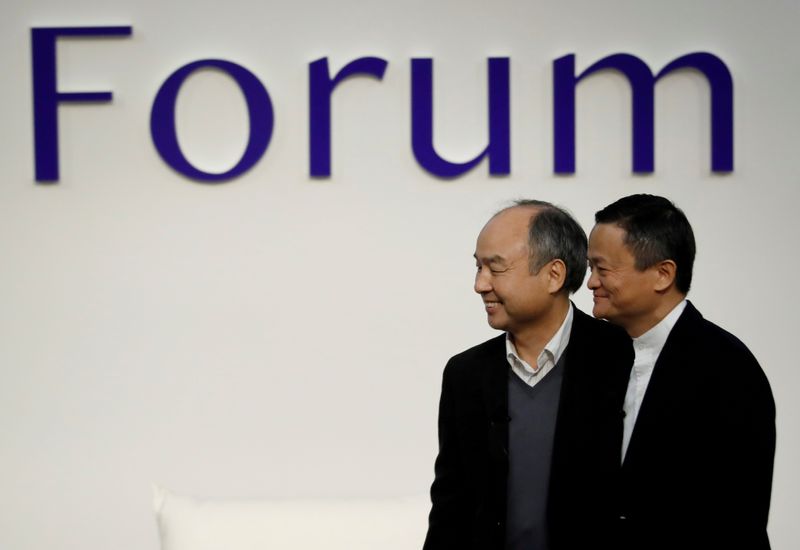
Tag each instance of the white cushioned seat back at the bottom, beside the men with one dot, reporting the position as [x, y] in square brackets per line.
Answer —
[290, 524]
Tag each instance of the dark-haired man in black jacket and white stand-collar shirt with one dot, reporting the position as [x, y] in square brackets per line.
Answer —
[699, 430]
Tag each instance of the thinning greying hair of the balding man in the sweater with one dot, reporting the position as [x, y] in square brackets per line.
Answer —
[554, 234]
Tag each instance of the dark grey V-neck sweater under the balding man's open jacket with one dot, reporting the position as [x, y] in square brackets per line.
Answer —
[533, 412]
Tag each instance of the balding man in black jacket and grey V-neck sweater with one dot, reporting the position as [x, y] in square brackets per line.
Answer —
[530, 421]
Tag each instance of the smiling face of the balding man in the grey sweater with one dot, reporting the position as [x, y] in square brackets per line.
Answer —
[512, 296]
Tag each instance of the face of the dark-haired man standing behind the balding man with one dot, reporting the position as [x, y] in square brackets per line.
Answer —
[622, 294]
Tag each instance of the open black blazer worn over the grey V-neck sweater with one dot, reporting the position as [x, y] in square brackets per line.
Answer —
[469, 490]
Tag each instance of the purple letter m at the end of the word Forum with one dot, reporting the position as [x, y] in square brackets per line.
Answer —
[642, 83]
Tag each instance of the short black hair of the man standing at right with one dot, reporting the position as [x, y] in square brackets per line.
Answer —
[655, 230]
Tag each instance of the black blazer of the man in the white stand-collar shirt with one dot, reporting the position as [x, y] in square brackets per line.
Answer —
[698, 470]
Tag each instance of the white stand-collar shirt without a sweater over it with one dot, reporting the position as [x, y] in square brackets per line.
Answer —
[647, 348]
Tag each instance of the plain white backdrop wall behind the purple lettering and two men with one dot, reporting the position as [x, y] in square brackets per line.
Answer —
[281, 336]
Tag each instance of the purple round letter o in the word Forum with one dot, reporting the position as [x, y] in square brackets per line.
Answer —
[259, 109]
